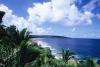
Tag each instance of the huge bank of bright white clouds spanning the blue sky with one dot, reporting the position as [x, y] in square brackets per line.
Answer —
[63, 12]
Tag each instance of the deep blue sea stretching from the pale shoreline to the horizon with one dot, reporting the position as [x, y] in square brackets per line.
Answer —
[80, 46]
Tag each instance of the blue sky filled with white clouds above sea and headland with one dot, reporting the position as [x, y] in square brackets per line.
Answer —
[71, 18]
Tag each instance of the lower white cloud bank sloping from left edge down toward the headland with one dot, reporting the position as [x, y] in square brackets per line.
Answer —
[21, 22]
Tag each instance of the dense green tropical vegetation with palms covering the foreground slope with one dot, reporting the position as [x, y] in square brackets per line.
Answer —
[18, 50]
